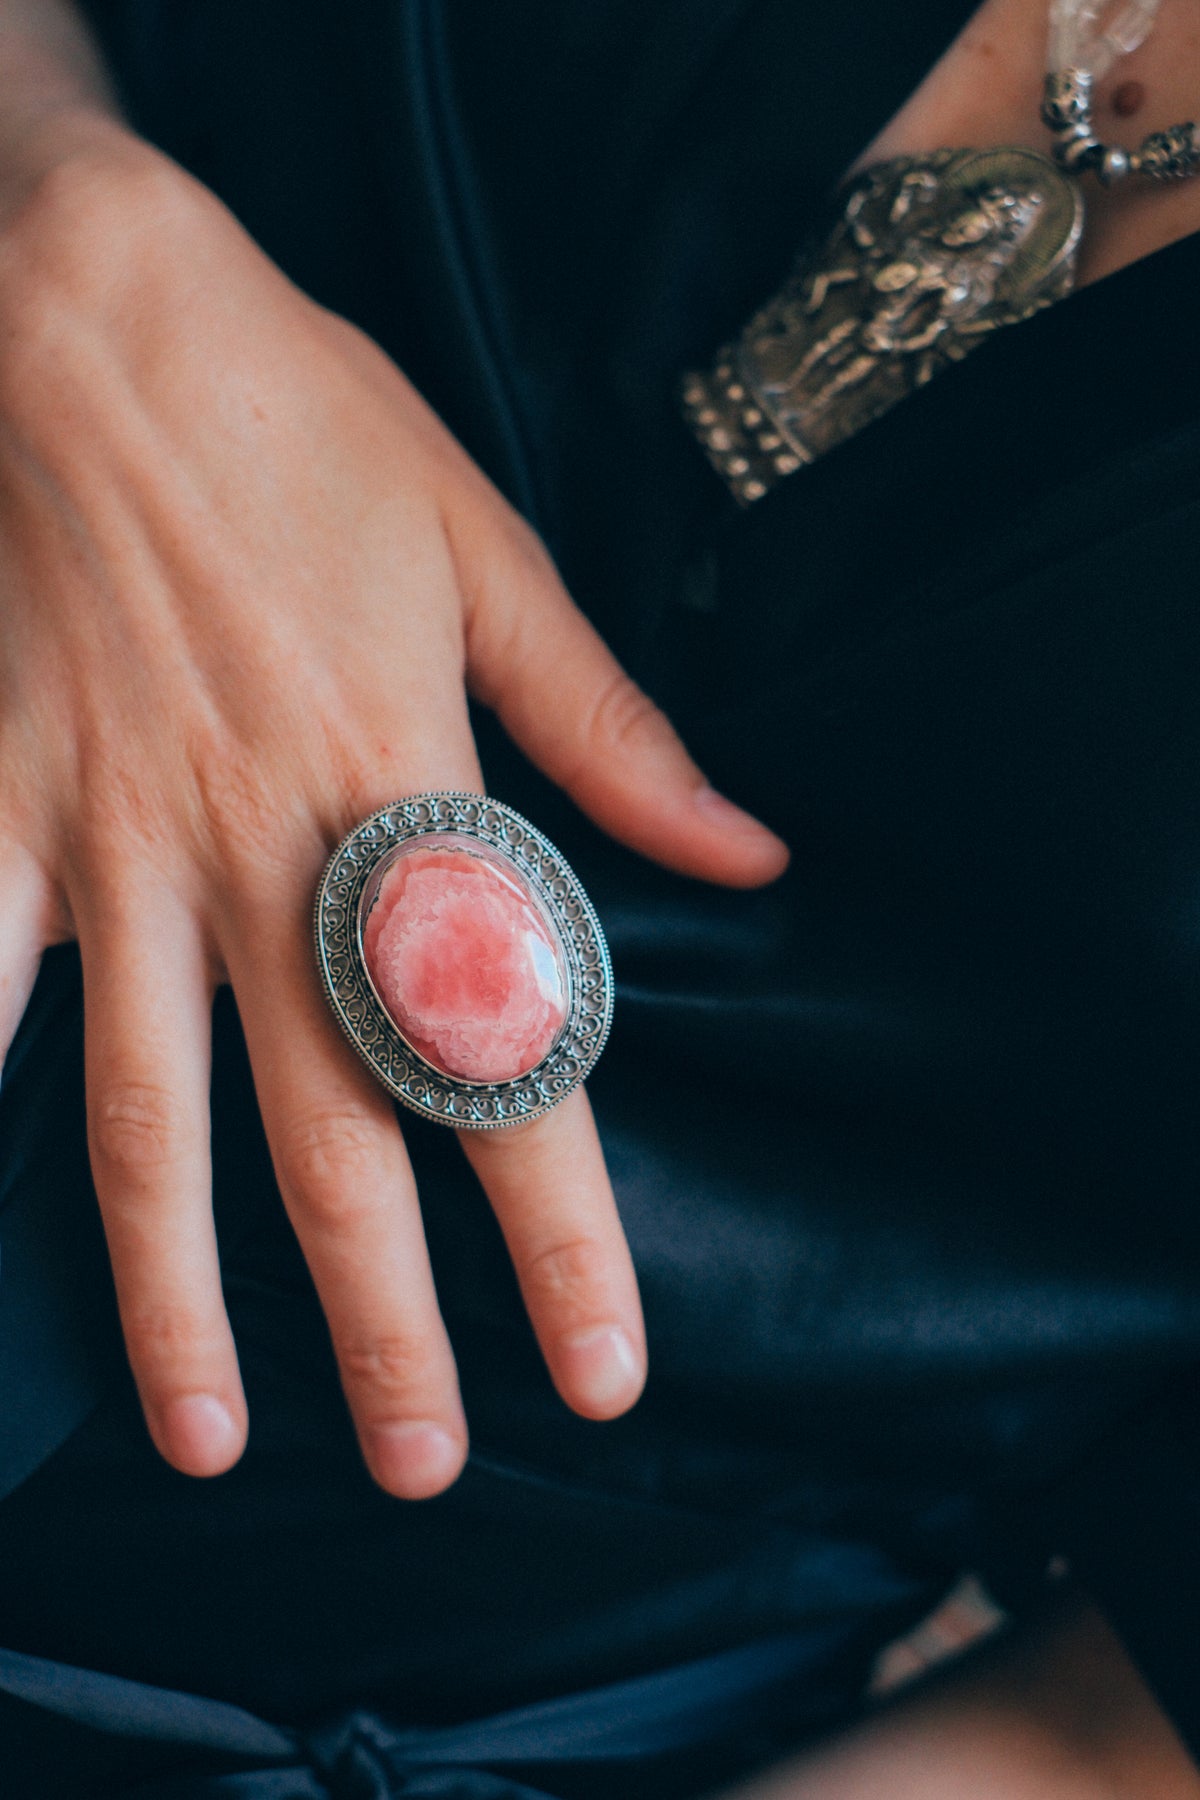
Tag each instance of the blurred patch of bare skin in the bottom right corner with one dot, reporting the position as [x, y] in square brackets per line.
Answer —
[1050, 1714]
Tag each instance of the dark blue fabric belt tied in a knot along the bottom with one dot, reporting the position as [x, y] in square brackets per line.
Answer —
[190, 1747]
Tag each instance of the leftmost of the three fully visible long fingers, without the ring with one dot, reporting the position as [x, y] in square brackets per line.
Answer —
[148, 1027]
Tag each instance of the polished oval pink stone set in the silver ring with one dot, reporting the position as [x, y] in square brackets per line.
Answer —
[465, 964]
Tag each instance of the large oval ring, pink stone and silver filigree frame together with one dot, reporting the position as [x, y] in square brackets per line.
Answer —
[463, 960]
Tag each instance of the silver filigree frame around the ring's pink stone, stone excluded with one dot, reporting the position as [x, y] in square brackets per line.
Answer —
[368, 1025]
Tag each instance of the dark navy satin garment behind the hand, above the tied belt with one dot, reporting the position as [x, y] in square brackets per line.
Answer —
[908, 1144]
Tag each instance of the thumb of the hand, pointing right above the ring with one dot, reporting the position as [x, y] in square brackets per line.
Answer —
[573, 710]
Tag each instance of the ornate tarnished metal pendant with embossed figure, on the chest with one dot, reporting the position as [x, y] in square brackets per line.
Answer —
[924, 260]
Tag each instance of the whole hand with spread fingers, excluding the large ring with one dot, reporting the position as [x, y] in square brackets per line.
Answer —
[244, 580]
